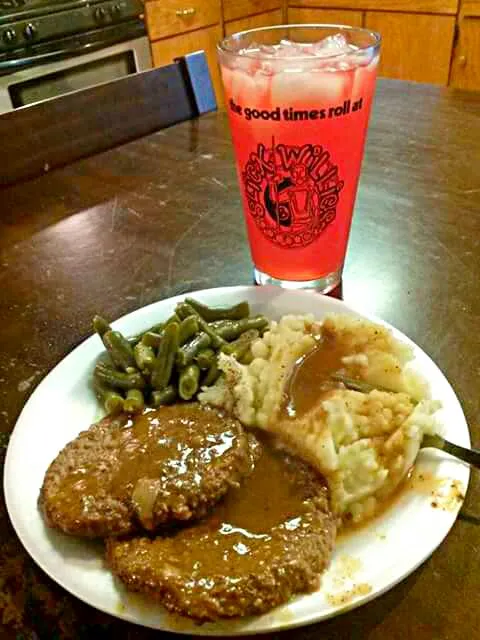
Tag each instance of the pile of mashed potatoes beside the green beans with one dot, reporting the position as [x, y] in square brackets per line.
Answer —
[363, 443]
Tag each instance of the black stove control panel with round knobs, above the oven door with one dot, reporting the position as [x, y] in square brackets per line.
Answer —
[37, 31]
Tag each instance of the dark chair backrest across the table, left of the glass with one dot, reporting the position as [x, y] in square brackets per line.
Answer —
[58, 131]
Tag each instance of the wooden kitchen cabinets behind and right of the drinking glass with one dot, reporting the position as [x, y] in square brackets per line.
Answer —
[434, 41]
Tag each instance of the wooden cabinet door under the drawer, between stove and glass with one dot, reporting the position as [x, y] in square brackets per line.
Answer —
[164, 51]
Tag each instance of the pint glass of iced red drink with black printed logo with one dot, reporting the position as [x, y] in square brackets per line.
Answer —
[299, 99]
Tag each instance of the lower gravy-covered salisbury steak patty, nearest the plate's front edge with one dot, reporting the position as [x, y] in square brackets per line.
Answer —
[263, 543]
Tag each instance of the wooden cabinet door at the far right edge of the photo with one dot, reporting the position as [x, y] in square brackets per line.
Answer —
[466, 61]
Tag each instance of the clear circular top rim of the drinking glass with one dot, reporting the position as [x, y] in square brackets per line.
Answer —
[224, 47]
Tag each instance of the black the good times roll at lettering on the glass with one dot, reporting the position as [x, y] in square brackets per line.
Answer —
[289, 114]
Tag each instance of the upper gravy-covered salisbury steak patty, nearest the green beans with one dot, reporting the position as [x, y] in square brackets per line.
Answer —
[166, 465]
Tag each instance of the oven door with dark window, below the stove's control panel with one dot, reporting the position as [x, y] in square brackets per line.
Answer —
[73, 68]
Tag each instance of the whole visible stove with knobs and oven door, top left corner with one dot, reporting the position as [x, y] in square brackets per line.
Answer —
[52, 47]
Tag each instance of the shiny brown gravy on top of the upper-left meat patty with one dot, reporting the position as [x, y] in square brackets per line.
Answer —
[173, 446]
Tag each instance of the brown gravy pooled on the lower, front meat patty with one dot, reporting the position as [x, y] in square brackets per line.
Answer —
[259, 517]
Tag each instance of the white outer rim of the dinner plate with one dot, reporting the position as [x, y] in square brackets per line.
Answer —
[240, 292]
